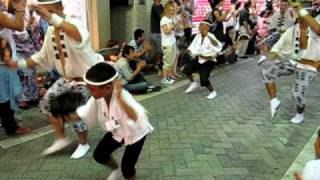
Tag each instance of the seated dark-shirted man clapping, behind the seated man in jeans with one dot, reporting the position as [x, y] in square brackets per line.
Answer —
[141, 48]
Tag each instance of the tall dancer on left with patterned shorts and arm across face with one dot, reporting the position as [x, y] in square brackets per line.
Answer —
[66, 47]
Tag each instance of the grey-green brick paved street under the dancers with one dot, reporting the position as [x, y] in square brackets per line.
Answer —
[231, 137]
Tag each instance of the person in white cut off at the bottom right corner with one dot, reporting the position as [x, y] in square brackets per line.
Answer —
[312, 169]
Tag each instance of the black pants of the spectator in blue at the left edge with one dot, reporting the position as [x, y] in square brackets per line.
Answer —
[7, 118]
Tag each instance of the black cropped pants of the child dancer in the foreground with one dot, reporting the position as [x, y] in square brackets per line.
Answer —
[107, 145]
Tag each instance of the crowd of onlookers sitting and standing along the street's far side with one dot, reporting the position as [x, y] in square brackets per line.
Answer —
[172, 32]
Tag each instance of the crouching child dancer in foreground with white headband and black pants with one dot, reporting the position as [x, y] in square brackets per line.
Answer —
[119, 114]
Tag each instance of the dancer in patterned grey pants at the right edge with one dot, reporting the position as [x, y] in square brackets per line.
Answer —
[300, 46]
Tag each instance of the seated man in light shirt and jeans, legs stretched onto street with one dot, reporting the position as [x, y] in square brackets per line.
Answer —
[133, 80]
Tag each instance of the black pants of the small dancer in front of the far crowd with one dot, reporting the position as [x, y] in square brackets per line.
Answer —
[203, 69]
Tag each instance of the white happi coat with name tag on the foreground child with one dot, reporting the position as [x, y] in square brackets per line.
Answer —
[130, 131]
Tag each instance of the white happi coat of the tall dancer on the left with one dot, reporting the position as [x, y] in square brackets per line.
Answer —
[81, 55]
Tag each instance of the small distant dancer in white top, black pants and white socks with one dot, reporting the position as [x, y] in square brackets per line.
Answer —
[204, 49]
